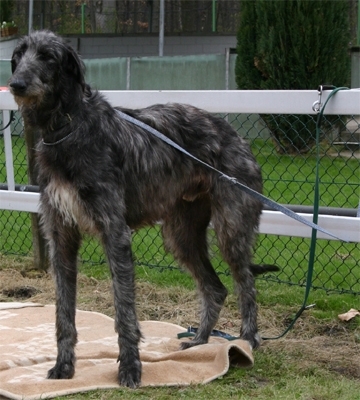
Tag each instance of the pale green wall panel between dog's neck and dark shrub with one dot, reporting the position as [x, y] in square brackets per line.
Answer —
[203, 72]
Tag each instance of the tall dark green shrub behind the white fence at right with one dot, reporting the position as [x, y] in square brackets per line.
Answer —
[292, 44]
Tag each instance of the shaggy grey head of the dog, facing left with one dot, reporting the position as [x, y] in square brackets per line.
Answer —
[44, 65]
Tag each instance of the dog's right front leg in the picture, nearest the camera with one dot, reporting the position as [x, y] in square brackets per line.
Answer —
[117, 244]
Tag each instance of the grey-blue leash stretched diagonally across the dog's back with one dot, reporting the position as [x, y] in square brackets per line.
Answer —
[270, 203]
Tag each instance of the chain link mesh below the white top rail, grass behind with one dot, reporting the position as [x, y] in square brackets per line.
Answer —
[289, 178]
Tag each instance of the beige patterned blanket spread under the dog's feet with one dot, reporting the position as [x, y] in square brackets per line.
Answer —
[28, 350]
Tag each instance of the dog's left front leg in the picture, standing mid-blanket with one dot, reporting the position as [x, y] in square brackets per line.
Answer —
[64, 243]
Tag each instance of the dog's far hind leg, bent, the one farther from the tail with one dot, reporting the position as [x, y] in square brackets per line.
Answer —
[185, 236]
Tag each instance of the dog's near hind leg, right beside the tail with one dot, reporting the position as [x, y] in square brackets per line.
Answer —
[235, 218]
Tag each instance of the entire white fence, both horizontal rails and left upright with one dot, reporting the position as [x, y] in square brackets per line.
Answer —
[237, 101]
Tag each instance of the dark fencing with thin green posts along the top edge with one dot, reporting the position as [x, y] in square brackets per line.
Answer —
[130, 16]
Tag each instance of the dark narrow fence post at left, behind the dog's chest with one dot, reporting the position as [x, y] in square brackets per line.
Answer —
[41, 258]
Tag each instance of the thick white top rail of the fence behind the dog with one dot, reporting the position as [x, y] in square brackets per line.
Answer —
[345, 102]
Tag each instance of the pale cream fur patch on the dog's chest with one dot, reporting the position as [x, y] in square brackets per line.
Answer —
[65, 199]
